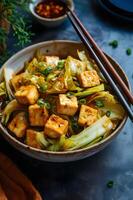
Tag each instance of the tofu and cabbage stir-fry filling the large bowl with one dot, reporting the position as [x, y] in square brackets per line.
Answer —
[60, 104]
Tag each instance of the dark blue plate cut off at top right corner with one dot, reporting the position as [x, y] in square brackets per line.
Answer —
[119, 8]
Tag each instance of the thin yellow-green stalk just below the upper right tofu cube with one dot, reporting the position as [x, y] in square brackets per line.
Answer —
[90, 91]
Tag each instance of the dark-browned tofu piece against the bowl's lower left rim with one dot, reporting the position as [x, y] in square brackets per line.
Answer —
[19, 124]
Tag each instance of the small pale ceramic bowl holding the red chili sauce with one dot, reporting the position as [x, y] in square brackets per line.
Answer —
[49, 22]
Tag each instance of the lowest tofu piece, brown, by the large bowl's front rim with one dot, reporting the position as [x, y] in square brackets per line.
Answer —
[31, 139]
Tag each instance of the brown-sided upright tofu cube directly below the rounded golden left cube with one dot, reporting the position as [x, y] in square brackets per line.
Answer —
[37, 115]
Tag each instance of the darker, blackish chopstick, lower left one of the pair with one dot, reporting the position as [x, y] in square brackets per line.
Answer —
[86, 40]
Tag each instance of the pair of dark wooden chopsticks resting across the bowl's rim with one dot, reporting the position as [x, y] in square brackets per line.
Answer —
[111, 75]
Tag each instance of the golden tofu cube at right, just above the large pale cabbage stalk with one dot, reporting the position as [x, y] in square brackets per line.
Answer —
[87, 115]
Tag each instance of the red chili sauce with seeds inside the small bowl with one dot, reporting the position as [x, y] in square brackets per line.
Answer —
[50, 9]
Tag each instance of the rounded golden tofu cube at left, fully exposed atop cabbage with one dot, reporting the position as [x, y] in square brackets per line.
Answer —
[27, 94]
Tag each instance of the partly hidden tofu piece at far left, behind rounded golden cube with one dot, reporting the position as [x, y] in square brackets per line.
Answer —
[17, 81]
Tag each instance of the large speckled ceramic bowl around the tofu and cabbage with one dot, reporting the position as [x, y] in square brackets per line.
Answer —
[60, 48]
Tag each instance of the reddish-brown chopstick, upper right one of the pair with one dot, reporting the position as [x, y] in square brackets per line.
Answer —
[108, 65]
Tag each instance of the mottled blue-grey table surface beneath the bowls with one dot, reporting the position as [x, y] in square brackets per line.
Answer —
[87, 179]
